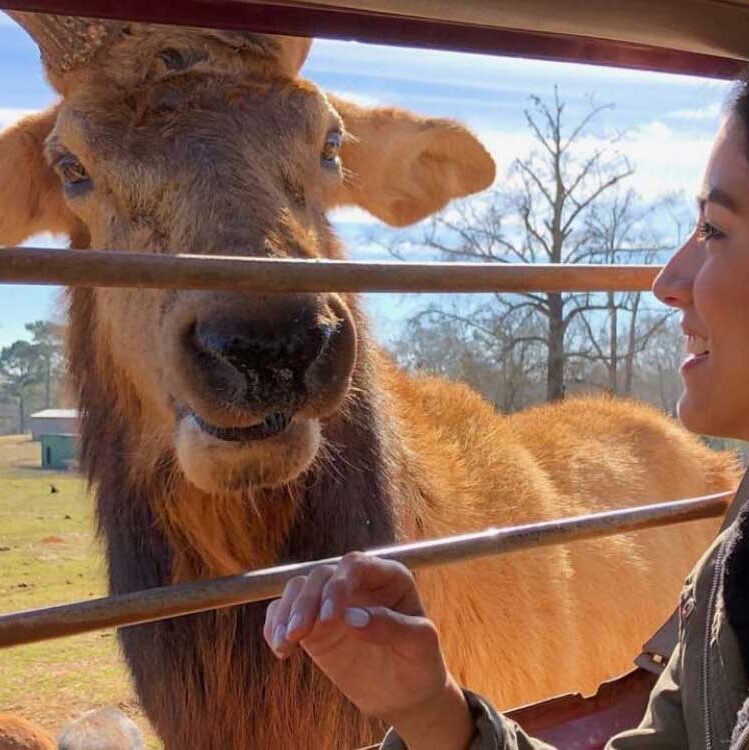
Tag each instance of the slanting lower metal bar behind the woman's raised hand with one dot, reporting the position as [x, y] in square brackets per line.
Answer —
[260, 585]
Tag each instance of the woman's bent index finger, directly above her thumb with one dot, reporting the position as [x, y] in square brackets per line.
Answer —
[370, 581]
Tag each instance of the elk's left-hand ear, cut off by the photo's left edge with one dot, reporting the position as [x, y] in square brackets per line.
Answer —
[31, 198]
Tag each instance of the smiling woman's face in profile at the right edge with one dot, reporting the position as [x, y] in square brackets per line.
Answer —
[708, 280]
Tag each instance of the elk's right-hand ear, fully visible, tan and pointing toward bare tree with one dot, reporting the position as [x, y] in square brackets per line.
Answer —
[402, 167]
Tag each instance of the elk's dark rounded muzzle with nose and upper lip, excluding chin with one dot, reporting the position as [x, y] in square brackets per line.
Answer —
[249, 366]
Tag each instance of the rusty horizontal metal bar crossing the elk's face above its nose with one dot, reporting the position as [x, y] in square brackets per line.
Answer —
[116, 269]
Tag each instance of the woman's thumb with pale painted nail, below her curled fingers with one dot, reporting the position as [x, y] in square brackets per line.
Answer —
[413, 637]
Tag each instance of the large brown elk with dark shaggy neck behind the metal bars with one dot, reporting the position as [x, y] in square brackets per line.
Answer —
[229, 431]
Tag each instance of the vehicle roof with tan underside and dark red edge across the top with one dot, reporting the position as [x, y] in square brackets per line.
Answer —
[704, 37]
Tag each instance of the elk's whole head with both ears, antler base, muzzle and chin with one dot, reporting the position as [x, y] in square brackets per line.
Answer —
[205, 142]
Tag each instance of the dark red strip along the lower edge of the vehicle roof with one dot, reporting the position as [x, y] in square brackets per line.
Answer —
[312, 19]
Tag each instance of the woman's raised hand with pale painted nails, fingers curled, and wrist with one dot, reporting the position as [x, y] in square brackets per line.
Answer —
[363, 624]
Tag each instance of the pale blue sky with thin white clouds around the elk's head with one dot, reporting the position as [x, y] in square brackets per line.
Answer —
[669, 121]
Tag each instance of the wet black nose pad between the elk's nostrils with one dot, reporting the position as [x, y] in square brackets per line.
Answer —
[259, 354]
